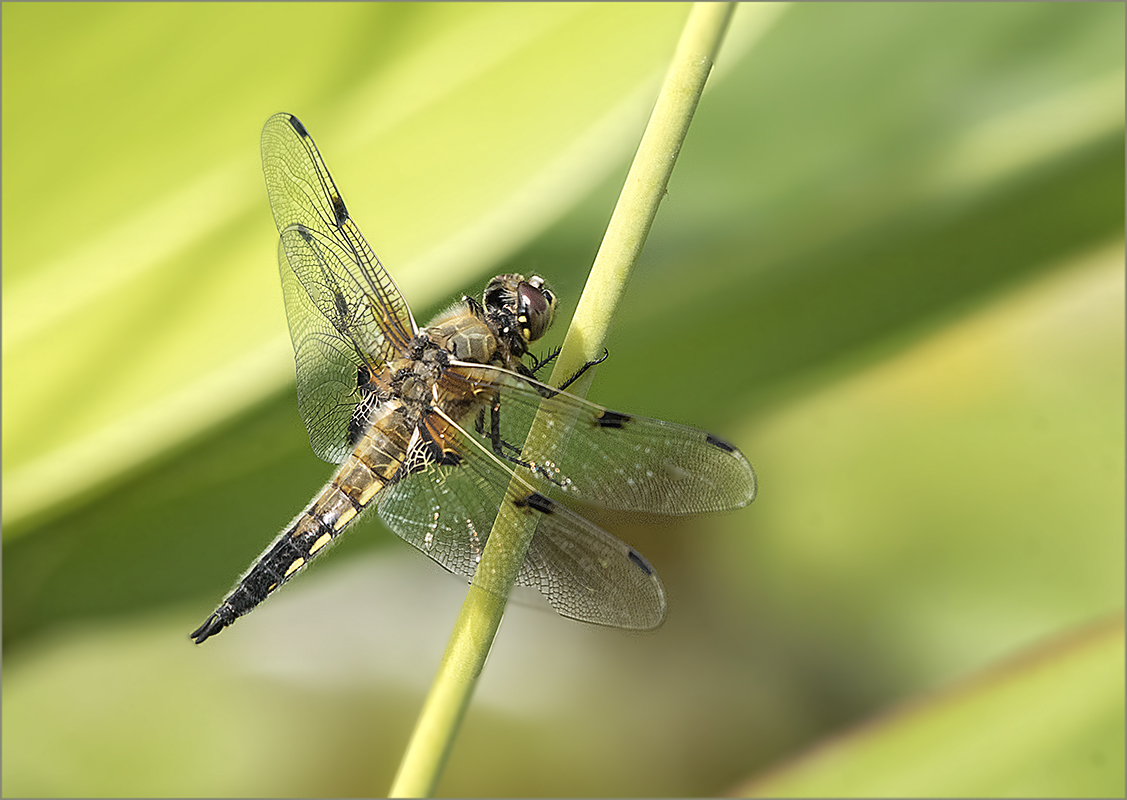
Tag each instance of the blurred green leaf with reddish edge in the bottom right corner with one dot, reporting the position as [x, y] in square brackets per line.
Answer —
[1049, 724]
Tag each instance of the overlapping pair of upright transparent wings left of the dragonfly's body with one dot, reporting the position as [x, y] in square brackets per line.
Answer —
[343, 308]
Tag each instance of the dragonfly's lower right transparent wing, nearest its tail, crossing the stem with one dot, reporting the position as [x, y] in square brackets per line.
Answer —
[448, 511]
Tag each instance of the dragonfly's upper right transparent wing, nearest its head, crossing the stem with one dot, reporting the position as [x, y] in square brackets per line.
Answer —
[620, 461]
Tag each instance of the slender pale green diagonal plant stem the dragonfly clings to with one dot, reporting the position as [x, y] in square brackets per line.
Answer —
[509, 541]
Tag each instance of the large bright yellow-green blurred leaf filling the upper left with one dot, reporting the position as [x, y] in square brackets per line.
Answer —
[141, 232]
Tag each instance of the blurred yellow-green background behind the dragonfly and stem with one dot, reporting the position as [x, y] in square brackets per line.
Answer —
[890, 268]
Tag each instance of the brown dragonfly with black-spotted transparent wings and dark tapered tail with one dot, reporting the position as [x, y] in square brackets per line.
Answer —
[431, 425]
